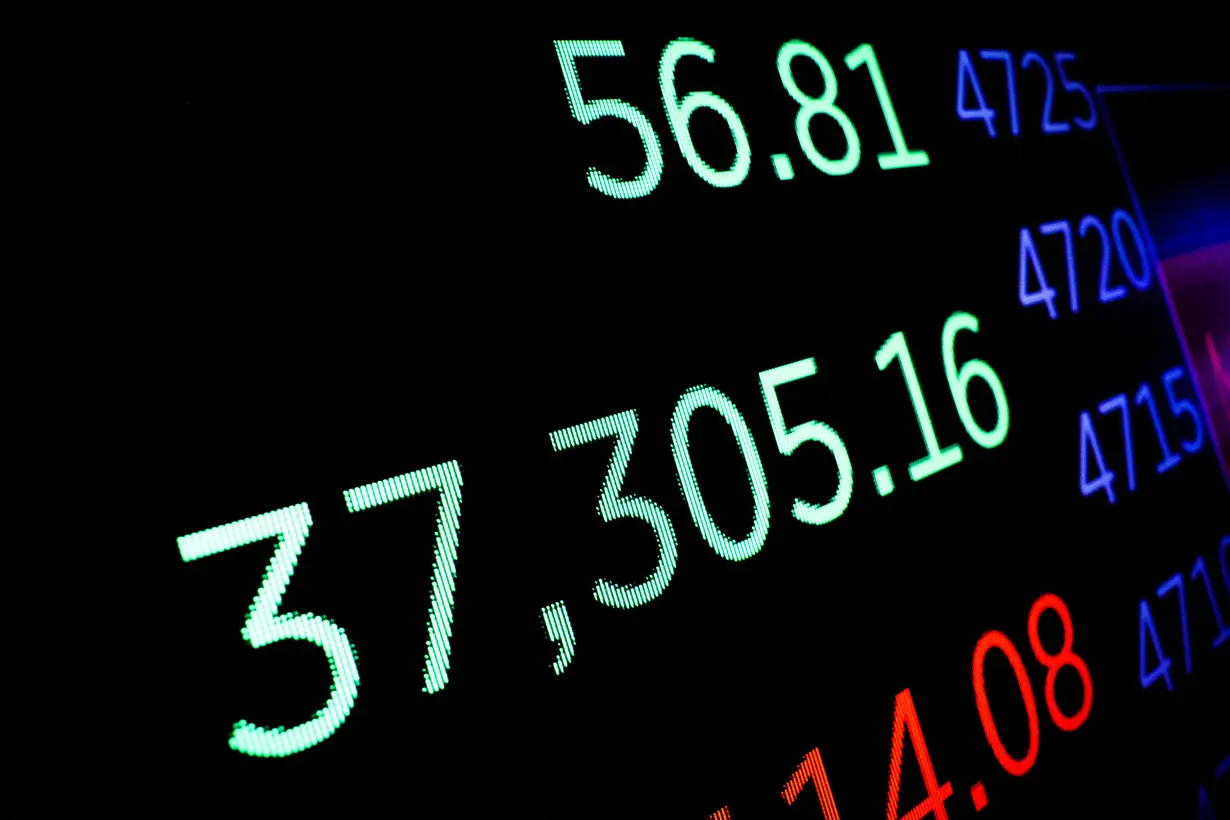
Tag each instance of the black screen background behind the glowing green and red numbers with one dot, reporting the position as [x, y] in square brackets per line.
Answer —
[315, 253]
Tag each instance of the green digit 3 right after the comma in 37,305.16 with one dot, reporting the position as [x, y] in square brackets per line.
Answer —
[623, 427]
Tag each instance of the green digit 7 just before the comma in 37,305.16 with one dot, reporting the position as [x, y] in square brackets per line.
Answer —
[447, 479]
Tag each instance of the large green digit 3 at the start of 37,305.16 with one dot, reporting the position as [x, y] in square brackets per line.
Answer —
[265, 626]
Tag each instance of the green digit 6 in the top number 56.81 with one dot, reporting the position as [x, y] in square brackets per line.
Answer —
[678, 115]
